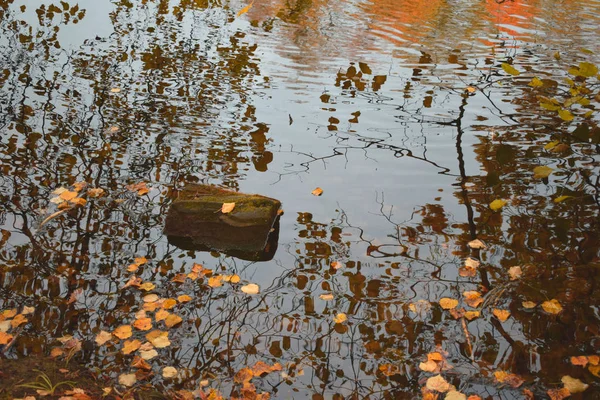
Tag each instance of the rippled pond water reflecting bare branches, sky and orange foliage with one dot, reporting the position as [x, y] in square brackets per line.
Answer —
[367, 100]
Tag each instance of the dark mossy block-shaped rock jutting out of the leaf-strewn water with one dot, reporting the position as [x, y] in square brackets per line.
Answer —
[249, 232]
